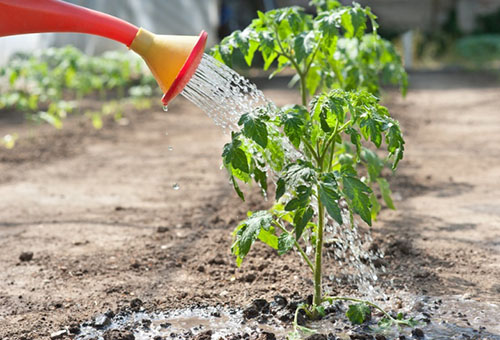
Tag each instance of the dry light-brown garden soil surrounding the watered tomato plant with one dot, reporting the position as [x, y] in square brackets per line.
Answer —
[90, 220]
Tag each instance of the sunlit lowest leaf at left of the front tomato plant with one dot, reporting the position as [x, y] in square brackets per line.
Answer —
[248, 231]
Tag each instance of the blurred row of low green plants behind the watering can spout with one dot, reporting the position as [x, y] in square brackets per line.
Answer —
[46, 84]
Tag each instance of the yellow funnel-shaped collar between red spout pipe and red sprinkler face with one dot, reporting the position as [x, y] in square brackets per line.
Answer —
[164, 54]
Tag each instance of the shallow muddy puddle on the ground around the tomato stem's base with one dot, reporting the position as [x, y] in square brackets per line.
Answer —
[453, 317]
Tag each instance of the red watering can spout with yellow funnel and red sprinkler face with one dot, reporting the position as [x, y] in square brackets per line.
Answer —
[172, 59]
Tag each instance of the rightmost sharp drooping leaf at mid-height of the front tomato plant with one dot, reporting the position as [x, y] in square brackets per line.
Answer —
[356, 191]
